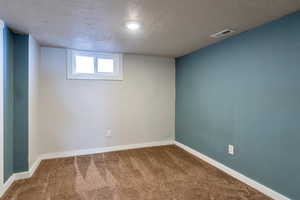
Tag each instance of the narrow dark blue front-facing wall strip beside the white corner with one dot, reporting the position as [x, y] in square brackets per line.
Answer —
[20, 102]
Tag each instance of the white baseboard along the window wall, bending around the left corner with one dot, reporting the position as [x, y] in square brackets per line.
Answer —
[28, 174]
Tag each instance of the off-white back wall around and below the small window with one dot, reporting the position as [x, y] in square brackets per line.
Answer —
[76, 114]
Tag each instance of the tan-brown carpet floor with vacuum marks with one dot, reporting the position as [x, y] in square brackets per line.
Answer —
[157, 173]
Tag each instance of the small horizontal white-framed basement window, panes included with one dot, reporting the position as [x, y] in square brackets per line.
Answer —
[93, 65]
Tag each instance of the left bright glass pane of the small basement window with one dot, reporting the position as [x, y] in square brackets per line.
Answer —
[84, 64]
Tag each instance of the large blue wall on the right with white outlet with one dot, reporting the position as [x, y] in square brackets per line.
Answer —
[245, 91]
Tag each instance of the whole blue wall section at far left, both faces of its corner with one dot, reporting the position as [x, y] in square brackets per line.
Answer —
[15, 103]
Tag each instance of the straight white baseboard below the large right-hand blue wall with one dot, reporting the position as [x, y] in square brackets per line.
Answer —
[260, 187]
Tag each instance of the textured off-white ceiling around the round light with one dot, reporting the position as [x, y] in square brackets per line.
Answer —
[169, 27]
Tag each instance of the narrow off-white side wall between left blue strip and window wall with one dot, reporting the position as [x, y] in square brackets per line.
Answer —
[33, 87]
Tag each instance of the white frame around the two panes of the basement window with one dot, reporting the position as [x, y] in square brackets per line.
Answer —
[116, 75]
